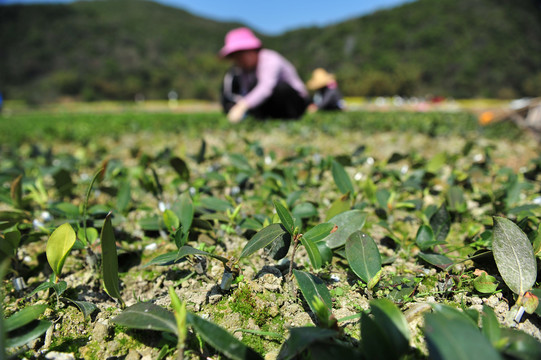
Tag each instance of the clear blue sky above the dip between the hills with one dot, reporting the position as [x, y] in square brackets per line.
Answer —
[273, 16]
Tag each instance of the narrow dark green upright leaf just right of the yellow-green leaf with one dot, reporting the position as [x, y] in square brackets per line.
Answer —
[109, 264]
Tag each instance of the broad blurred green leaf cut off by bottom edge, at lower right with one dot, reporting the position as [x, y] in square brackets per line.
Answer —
[450, 335]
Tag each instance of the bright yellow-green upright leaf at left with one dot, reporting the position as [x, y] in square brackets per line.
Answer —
[58, 247]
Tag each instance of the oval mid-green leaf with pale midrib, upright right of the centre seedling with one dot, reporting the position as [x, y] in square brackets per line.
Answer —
[363, 256]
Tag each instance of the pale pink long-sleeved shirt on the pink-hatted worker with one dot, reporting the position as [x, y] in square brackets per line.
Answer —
[271, 68]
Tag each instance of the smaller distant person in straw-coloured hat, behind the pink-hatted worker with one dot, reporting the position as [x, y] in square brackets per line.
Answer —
[327, 96]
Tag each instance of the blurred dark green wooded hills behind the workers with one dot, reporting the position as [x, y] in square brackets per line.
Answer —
[118, 48]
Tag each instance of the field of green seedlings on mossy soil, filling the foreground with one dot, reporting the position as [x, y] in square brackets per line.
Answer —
[179, 236]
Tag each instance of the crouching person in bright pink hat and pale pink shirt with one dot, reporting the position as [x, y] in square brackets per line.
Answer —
[262, 83]
